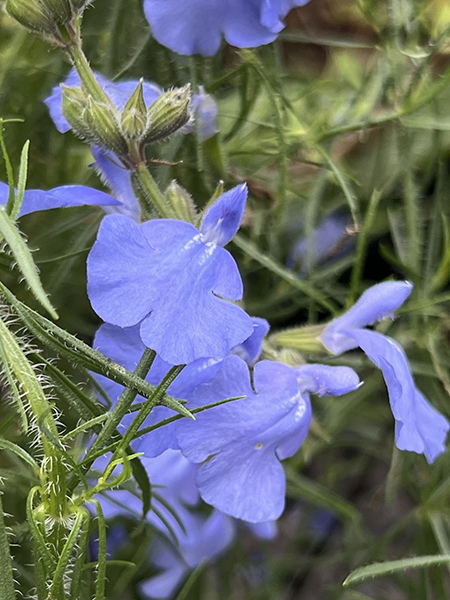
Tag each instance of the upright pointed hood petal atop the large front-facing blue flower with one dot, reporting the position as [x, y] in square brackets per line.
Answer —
[223, 218]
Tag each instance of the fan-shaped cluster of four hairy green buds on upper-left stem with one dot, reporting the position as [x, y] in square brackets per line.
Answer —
[103, 124]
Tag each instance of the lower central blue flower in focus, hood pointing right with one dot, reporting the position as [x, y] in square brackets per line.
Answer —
[243, 442]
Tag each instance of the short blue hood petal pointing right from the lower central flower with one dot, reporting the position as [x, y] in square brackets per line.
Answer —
[324, 380]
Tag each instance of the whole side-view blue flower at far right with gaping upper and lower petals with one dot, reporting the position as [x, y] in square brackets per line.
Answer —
[418, 427]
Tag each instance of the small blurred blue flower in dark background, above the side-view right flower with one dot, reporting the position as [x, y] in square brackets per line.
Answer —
[328, 241]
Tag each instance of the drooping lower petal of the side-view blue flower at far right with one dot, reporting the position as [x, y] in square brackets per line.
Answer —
[419, 427]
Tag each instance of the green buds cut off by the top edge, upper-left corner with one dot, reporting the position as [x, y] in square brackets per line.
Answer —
[43, 16]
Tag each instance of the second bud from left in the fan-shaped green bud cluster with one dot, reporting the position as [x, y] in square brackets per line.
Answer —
[105, 128]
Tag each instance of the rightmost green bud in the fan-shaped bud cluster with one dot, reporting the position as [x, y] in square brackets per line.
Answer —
[168, 113]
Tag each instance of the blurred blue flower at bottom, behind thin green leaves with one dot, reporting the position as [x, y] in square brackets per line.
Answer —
[200, 538]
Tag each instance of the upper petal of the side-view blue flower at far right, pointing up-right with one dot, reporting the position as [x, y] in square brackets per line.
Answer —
[376, 303]
